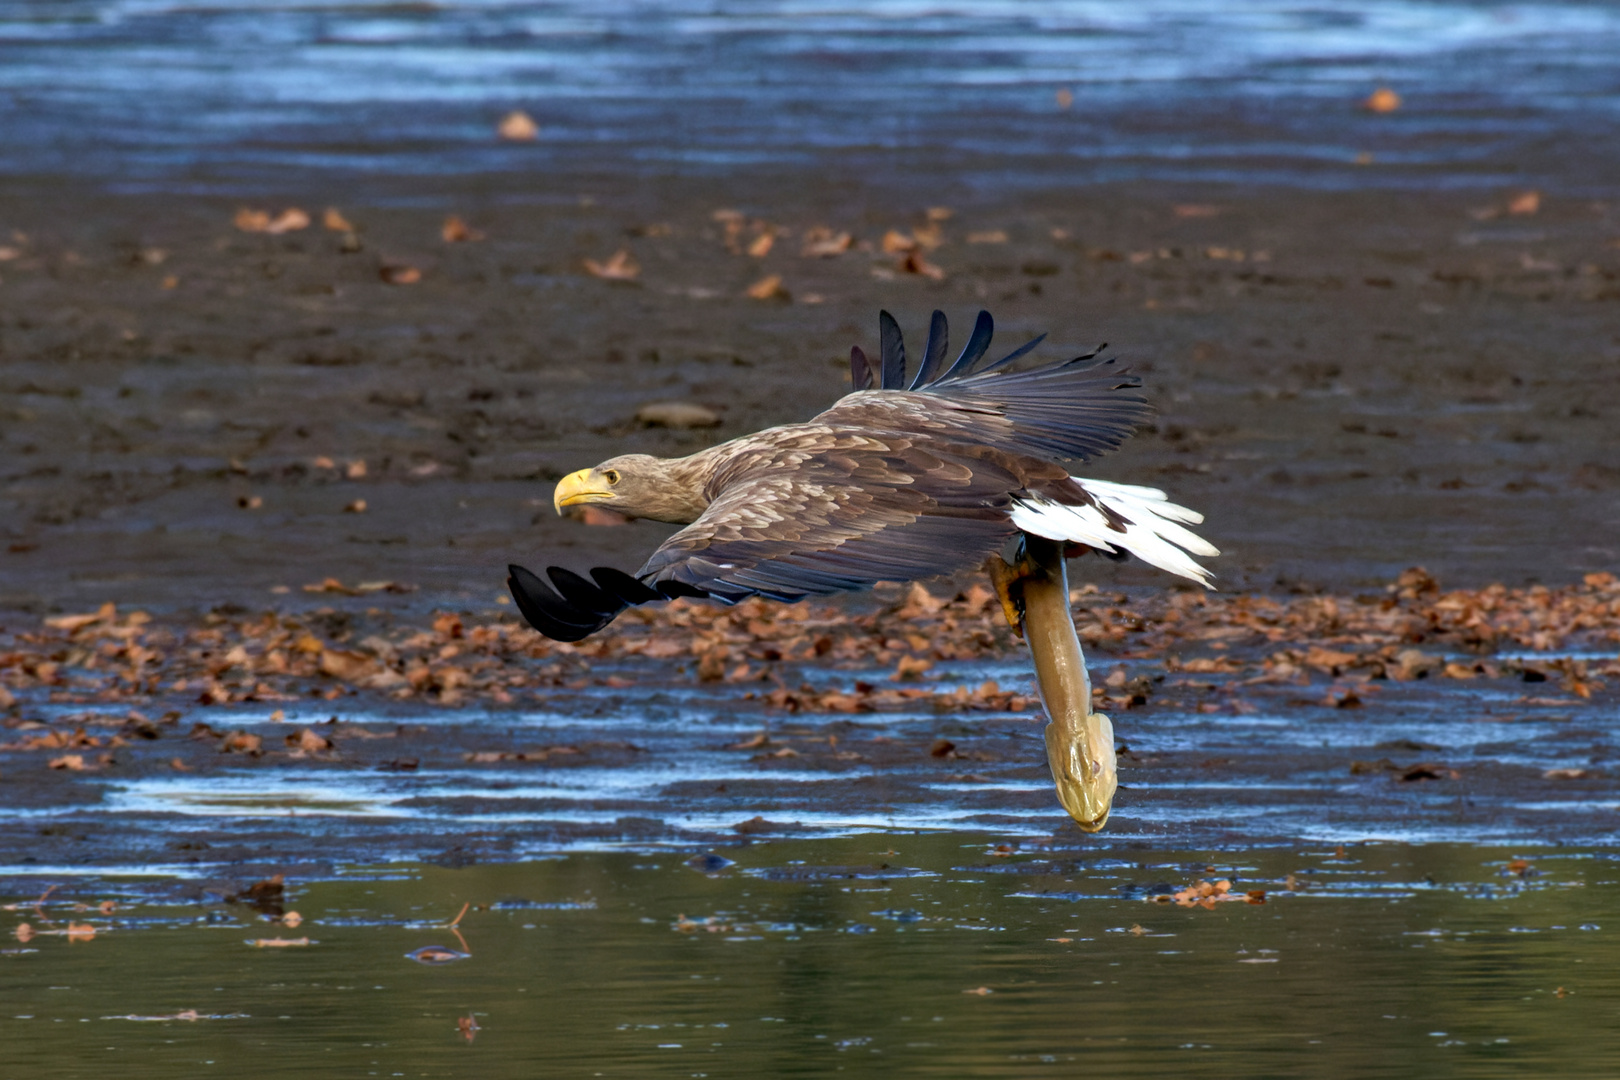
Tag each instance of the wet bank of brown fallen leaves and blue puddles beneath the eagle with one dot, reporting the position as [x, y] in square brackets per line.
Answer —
[249, 746]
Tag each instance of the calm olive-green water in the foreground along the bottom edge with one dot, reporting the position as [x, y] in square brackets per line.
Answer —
[939, 955]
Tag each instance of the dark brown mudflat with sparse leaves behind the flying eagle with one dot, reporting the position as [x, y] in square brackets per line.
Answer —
[1349, 385]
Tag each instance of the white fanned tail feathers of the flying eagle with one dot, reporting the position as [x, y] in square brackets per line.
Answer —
[1154, 532]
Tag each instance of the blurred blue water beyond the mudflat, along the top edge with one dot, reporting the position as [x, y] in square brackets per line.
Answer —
[241, 96]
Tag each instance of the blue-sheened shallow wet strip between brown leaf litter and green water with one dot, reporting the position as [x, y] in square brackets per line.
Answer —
[1214, 762]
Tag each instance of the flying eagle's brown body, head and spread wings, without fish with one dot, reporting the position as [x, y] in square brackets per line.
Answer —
[887, 485]
